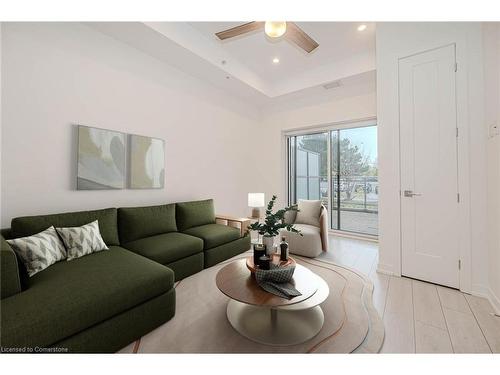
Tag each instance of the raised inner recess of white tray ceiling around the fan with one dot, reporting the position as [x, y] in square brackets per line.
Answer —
[338, 41]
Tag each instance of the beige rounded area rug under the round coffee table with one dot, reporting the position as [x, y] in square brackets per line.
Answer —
[200, 324]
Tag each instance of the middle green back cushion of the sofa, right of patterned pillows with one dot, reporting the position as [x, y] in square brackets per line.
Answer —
[139, 222]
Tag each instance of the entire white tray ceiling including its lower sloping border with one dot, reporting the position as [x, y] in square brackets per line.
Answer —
[248, 70]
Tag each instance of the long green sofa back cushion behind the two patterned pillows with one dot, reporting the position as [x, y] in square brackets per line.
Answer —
[29, 225]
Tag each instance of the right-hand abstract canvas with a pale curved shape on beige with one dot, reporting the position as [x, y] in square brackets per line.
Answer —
[147, 162]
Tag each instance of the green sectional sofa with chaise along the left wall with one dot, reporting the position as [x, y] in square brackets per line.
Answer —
[103, 301]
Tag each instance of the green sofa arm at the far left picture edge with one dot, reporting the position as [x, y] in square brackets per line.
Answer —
[10, 281]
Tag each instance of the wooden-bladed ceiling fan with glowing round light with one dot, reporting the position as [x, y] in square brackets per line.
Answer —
[274, 29]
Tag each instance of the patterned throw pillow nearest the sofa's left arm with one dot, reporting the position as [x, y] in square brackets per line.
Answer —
[39, 251]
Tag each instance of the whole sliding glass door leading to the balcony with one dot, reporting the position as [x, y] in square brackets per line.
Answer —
[338, 166]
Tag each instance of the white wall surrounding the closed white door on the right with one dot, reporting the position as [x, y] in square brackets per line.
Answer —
[395, 40]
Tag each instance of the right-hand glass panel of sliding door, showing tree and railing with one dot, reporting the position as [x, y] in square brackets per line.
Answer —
[358, 180]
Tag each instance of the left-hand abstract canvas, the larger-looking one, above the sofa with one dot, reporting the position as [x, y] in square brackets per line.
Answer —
[101, 159]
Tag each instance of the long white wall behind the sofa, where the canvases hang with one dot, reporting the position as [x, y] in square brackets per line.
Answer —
[56, 75]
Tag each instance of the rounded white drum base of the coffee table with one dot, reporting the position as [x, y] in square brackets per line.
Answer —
[275, 326]
